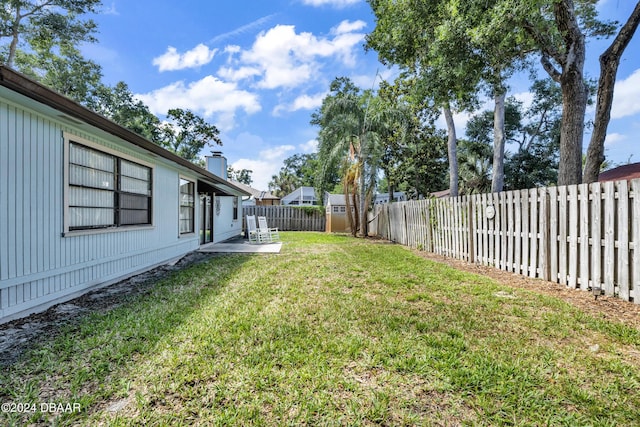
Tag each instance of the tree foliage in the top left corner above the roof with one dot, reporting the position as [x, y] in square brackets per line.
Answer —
[30, 24]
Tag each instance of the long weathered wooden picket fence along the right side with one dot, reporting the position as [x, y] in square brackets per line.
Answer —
[581, 236]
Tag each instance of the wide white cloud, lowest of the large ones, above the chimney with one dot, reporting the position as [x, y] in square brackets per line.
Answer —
[209, 97]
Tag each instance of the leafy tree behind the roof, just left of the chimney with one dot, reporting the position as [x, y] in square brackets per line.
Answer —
[186, 134]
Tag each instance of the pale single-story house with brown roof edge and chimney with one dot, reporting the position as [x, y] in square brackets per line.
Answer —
[85, 202]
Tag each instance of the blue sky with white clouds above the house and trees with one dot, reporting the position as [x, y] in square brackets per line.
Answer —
[257, 69]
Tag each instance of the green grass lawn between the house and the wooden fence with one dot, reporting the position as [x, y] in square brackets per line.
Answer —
[333, 331]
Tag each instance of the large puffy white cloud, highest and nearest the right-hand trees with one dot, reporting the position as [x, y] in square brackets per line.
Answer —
[282, 58]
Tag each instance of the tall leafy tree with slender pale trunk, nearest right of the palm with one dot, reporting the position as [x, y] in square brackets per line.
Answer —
[426, 41]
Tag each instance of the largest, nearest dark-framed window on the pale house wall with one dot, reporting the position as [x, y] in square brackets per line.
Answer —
[106, 191]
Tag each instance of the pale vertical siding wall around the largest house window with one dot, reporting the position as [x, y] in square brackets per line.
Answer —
[38, 266]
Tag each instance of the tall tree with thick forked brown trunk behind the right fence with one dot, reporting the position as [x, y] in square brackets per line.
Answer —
[559, 30]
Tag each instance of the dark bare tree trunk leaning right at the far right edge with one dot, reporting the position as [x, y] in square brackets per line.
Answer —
[609, 61]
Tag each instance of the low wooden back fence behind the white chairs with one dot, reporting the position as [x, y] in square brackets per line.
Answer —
[289, 218]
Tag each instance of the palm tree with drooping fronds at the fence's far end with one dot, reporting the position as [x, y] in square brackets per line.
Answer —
[353, 125]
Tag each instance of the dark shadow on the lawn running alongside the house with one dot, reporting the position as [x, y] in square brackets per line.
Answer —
[68, 354]
